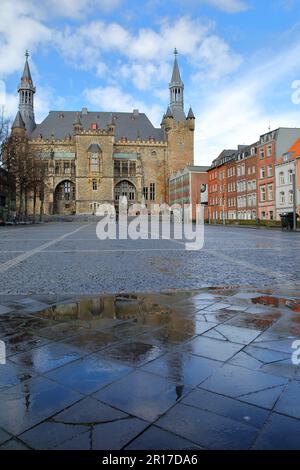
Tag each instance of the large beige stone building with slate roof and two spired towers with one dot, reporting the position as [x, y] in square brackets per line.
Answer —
[96, 157]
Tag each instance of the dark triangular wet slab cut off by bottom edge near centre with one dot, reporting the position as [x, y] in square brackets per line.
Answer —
[155, 438]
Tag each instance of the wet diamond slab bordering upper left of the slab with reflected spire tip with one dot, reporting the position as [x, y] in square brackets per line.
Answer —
[89, 374]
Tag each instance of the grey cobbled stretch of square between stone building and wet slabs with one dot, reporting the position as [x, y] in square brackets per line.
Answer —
[68, 258]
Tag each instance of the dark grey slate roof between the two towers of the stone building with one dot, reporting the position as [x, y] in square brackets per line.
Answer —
[129, 125]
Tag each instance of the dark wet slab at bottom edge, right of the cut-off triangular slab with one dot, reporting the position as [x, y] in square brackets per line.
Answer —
[206, 429]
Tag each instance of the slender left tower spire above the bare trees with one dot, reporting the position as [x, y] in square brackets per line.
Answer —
[26, 92]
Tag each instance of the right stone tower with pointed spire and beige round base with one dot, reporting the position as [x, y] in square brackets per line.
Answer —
[178, 127]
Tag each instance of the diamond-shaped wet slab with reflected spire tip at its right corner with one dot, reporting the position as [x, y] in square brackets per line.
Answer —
[144, 395]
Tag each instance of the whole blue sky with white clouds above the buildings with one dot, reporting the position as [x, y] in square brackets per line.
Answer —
[239, 60]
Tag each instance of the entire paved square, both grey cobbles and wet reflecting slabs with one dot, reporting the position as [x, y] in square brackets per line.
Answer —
[188, 366]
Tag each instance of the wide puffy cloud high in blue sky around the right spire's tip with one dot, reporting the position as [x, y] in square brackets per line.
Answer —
[145, 54]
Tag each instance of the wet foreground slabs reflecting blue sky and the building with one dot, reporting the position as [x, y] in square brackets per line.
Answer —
[201, 369]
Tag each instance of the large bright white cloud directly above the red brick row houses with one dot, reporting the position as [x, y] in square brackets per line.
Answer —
[240, 112]
